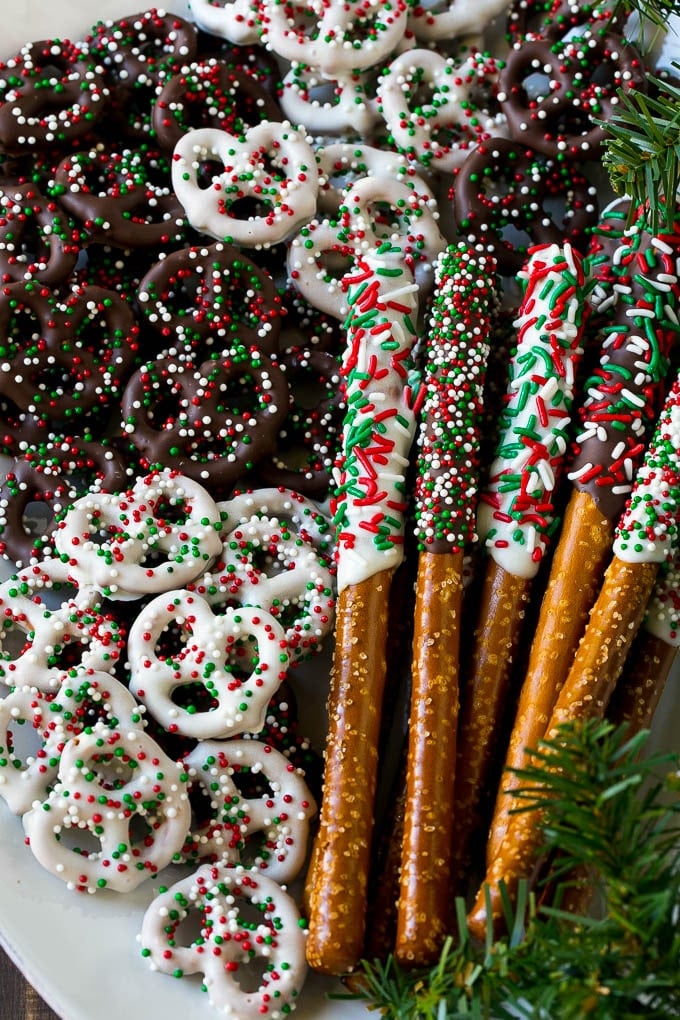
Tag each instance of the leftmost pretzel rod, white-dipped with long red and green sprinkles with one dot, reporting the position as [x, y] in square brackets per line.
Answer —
[369, 507]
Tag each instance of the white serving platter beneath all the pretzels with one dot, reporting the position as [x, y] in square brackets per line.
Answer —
[81, 952]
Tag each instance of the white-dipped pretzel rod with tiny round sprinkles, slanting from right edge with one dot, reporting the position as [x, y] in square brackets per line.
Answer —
[648, 534]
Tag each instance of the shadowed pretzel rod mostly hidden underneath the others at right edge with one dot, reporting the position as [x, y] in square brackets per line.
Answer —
[653, 656]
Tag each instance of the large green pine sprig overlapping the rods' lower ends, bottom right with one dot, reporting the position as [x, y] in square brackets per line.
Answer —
[606, 812]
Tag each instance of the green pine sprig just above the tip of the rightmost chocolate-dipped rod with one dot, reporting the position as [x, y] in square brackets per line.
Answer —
[643, 150]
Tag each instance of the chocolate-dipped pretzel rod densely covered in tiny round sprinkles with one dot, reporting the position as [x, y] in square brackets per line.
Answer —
[456, 352]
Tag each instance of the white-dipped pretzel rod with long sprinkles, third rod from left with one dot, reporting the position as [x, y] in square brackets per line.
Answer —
[516, 514]
